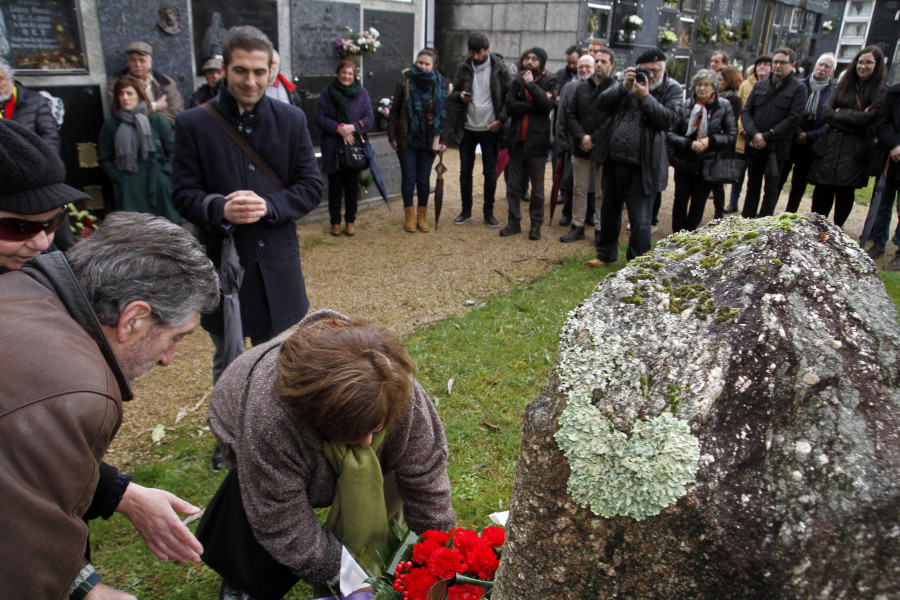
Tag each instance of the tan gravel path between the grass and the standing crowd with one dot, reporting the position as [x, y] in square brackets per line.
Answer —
[398, 279]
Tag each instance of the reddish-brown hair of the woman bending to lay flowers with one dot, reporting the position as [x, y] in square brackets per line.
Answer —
[344, 379]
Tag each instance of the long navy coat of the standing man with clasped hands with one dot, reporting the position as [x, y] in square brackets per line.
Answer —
[208, 165]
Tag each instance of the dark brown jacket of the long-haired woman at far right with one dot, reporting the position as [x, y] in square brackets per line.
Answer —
[838, 161]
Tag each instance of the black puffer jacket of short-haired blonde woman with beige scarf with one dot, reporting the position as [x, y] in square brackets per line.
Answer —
[722, 131]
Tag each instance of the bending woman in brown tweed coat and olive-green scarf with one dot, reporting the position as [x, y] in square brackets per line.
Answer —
[330, 415]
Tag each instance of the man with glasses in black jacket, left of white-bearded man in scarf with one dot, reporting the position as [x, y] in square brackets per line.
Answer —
[770, 116]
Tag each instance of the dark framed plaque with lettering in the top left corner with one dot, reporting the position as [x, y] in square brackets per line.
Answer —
[42, 35]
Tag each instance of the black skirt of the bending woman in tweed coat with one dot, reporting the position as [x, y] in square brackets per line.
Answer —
[231, 549]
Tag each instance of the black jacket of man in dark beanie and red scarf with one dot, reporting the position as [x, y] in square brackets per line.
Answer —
[538, 109]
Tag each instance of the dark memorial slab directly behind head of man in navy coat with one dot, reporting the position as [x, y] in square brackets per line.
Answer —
[213, 18]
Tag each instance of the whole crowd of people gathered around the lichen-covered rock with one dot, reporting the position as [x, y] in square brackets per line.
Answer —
[328, 413]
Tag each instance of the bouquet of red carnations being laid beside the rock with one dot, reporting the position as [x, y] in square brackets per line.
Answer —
[456, 565]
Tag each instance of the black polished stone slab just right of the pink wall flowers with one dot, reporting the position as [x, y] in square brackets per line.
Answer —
[382, 69]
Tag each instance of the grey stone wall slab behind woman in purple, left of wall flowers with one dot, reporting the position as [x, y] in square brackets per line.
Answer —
[316, 27]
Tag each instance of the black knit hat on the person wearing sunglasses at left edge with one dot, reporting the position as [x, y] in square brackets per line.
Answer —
[31, 174]
